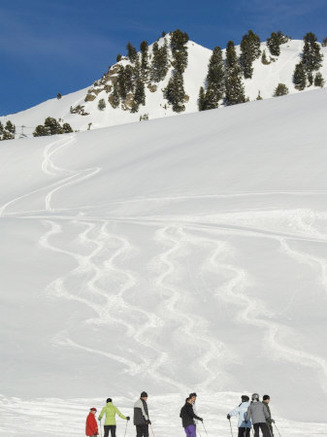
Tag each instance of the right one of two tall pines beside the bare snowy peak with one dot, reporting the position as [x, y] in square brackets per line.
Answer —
[233, 81]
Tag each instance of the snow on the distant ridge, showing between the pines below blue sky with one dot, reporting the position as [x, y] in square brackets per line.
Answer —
[264, 81]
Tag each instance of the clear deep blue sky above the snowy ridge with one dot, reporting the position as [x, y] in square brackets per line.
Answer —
[62, 46]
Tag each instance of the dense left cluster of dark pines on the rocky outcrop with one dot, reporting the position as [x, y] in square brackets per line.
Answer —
[128, 80]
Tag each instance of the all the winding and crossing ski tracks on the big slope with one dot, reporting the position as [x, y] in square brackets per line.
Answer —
[99, 258]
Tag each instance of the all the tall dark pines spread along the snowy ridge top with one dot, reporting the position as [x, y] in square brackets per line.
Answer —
[224, 81]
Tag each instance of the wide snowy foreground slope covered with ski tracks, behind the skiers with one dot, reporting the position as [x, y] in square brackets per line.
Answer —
[181, 254]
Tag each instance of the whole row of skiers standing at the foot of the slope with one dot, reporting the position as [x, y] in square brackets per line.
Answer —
[254, 413]
